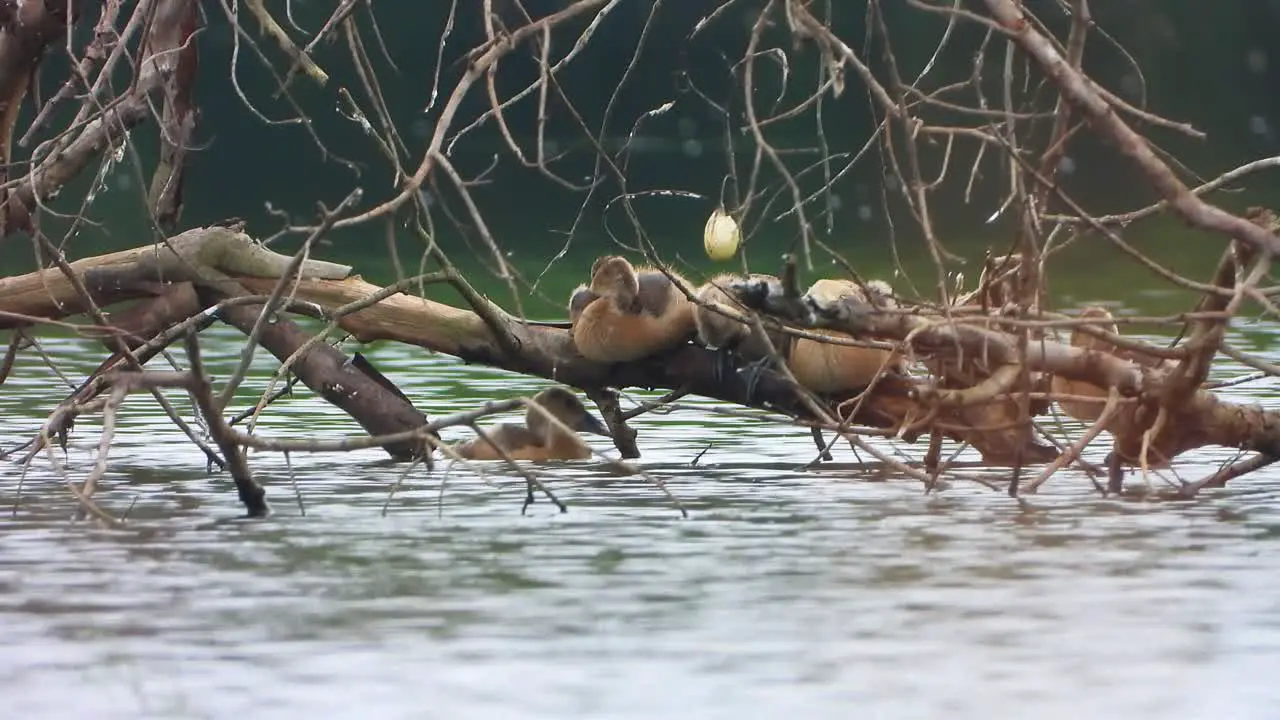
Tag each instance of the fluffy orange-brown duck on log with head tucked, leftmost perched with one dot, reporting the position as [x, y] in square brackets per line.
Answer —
[629, 313]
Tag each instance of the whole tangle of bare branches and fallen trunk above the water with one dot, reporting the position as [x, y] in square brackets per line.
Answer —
[986, 361]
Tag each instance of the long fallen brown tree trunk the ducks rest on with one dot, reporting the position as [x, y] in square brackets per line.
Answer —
[231, 266]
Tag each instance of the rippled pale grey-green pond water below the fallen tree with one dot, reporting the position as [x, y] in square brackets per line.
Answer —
[817, 594]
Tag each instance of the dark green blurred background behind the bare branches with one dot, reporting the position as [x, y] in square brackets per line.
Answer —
[1212, 65]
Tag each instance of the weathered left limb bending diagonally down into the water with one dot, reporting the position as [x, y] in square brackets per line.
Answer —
[149, 275]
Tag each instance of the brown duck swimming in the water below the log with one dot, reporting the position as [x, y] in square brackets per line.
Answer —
[540, 439]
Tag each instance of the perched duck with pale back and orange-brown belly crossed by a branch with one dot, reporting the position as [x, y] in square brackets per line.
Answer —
[830, 370]
